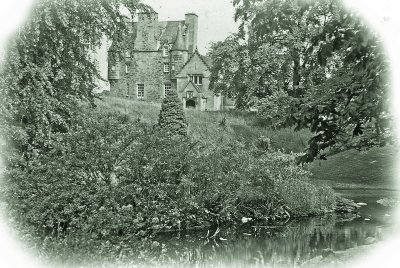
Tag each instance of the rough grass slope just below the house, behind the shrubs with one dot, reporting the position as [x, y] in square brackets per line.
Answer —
[207, 125]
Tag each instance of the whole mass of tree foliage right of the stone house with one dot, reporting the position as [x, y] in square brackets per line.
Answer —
[308, 64]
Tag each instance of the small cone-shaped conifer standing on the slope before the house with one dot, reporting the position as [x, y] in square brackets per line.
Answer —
[172, 118]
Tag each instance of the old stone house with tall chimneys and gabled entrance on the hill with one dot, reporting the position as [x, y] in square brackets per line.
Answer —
[159, 56]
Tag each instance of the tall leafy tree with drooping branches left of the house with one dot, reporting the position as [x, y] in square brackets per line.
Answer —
[49, 67]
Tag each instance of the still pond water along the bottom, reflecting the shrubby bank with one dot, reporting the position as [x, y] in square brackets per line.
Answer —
[292, 244]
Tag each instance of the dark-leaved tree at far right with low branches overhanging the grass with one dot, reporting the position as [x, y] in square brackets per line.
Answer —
[351, 109]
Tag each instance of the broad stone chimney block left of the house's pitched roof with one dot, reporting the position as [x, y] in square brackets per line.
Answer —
[147, 31]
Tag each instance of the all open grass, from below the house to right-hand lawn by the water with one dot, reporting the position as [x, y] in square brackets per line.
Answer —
[352, 169]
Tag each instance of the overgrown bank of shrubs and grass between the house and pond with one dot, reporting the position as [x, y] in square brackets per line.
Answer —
[117, 177]
